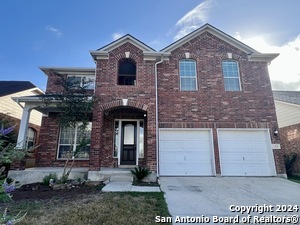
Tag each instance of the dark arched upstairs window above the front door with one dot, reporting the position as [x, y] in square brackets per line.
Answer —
[127, 72]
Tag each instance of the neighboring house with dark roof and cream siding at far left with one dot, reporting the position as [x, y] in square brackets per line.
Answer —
[11, 111]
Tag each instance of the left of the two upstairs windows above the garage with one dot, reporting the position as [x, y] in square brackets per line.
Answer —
[188, 75]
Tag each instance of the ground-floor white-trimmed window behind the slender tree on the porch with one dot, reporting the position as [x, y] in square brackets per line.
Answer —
[75, 142]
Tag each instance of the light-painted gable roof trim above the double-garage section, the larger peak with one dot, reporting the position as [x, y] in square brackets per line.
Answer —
[253, 54]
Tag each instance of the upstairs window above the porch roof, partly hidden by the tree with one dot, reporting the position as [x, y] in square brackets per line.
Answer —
[87, 82]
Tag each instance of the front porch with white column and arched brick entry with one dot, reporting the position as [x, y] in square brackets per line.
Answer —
[122, 135]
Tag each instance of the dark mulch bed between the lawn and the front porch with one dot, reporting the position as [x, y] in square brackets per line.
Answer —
[36, 191]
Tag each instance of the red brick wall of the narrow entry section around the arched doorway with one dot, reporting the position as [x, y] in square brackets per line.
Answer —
[108, 93]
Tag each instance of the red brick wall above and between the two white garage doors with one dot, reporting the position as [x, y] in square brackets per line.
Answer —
[211, 106]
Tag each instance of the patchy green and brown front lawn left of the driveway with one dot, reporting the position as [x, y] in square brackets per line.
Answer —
[93, 209]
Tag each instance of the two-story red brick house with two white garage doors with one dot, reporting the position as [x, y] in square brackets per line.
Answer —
[202, 106]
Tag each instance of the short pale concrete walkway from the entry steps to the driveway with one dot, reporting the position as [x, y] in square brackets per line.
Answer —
[124, 186]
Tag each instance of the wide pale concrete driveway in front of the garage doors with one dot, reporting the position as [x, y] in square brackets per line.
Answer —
[220, 200]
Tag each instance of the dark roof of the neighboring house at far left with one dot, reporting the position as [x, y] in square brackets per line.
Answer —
[10, 87]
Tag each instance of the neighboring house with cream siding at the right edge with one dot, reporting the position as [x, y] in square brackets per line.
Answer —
[287, 104]
